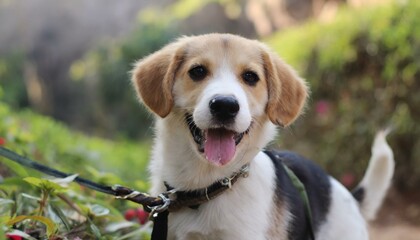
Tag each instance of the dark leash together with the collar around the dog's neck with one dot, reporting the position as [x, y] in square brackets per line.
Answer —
[159, 207]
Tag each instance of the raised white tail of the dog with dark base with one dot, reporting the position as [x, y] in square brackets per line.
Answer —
[372, 189]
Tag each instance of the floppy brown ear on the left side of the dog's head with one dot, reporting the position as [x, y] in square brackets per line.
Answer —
[154, 76]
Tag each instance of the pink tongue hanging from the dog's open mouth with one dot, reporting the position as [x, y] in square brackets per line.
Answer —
[220, 146]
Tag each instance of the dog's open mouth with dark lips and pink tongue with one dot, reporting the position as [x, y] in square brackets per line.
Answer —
[217, 144]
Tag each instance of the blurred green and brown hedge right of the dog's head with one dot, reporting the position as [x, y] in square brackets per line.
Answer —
[363, 69]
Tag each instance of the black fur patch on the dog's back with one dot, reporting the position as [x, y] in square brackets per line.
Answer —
[318, 189]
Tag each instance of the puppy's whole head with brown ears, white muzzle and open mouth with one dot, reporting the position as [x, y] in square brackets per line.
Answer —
[223, 87]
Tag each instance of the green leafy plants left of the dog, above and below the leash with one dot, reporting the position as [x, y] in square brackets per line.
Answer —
[45, 208]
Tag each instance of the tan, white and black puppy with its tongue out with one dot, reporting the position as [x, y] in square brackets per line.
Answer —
[218, 100]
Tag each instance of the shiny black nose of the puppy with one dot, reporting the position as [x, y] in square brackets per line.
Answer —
[224, 108]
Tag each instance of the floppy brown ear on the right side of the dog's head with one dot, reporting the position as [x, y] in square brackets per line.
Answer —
[287, 92]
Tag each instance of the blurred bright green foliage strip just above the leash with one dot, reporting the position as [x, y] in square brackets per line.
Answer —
[52, 143]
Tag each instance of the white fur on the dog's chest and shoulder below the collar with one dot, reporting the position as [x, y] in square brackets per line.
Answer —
[239, 213]
